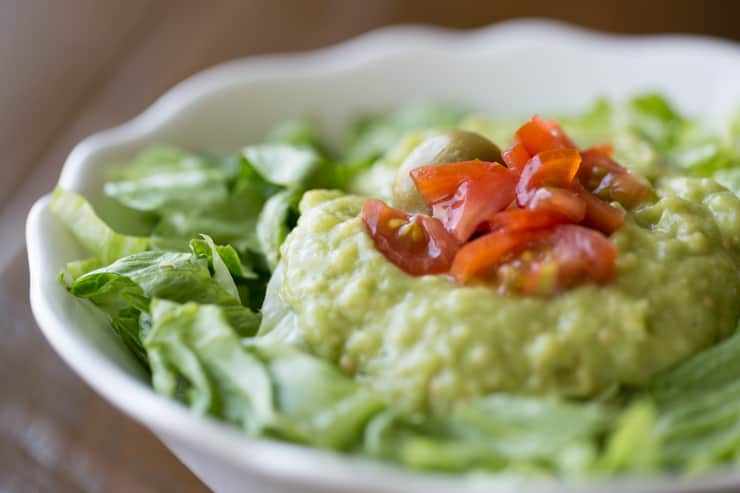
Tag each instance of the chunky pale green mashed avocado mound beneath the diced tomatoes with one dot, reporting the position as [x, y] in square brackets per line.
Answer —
[428, 344]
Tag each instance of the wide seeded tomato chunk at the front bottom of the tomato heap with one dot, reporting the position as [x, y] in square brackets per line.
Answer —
[537, 262]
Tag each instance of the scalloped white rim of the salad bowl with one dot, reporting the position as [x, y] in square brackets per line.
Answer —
[297, 463]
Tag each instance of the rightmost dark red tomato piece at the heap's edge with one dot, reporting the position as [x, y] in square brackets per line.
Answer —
[610, 181]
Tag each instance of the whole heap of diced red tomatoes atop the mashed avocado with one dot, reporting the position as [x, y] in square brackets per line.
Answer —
[539, 225]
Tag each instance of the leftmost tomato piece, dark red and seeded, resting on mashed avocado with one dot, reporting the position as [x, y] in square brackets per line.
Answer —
[417, 244]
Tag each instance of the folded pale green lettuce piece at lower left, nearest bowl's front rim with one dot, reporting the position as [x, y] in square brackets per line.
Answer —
[200, 360]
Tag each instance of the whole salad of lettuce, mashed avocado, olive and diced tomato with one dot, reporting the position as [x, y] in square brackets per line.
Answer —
[446, 290]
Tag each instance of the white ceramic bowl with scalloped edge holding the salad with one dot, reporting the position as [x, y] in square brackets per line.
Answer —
[514, 68]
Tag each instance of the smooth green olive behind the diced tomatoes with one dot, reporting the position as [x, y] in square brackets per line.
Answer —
[448, 147]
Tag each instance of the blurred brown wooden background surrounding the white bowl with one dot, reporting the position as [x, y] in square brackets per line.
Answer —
[73, 67]
